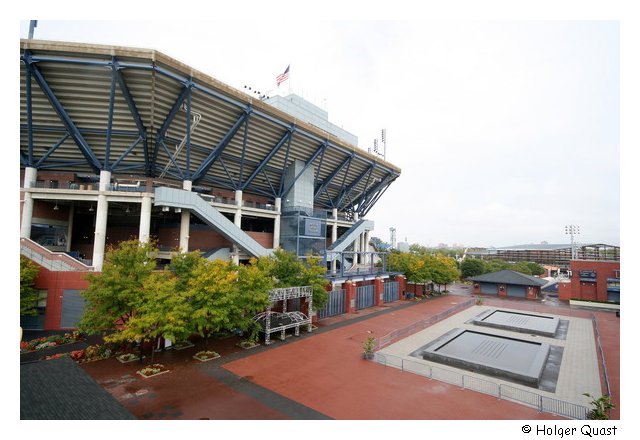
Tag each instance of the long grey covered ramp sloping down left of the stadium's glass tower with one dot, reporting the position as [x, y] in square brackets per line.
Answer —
[178, 198]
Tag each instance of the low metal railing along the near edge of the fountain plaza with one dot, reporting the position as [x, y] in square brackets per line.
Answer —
[500, 391]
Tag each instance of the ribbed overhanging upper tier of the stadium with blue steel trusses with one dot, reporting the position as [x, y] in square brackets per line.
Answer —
[137, 112]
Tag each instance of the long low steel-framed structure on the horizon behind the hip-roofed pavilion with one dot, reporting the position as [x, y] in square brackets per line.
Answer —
[549, 254]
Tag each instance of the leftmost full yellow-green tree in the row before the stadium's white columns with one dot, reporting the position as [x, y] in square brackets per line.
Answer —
[114, 294]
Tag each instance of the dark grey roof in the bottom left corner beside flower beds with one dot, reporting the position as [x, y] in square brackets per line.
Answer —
[60, 390]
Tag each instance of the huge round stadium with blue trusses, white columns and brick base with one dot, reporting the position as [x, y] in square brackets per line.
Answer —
[119, 143]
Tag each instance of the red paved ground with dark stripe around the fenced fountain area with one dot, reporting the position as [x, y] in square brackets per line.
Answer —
[322, 375]
